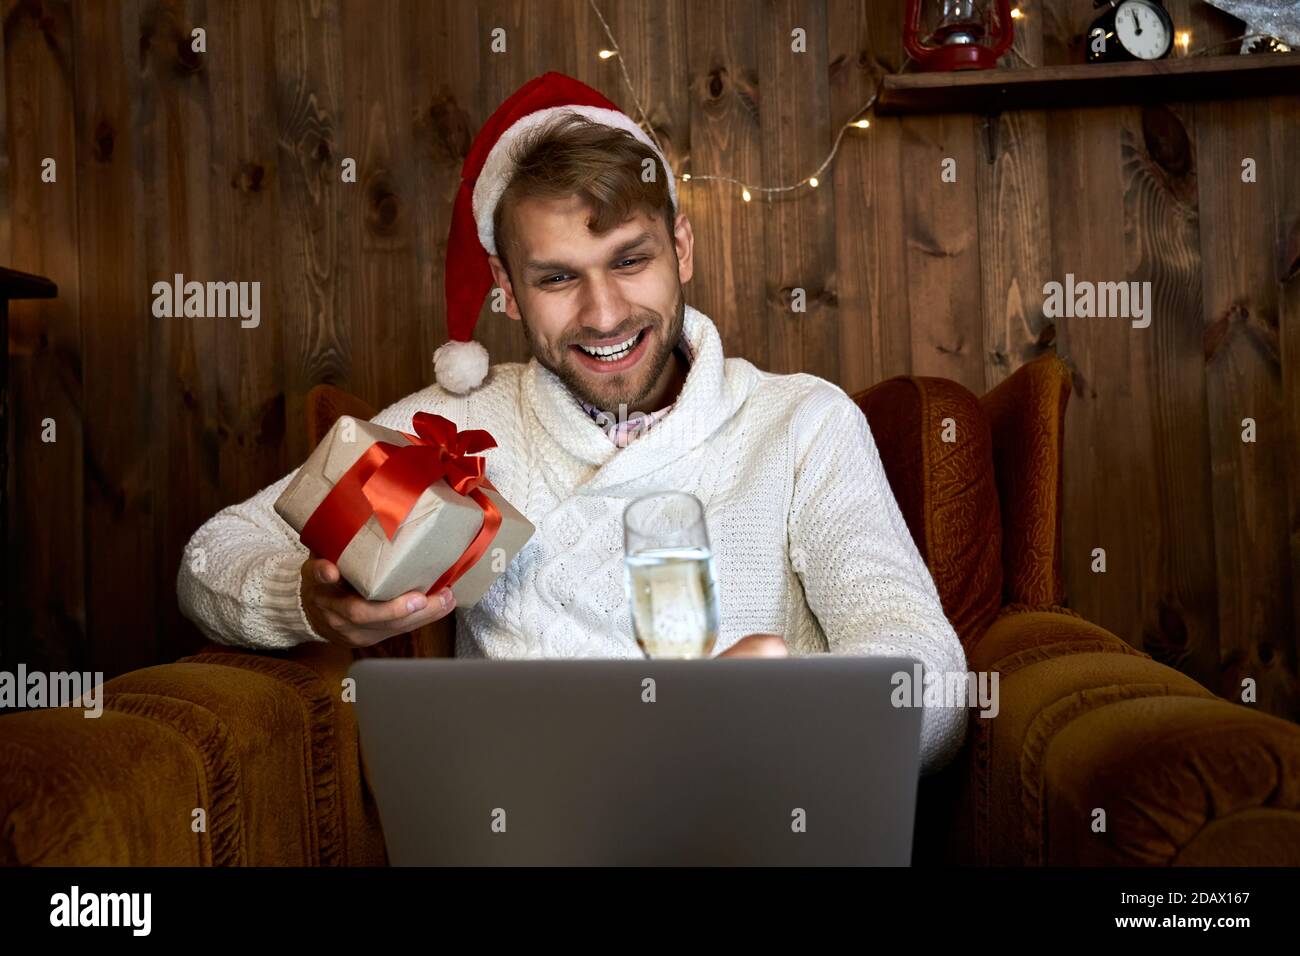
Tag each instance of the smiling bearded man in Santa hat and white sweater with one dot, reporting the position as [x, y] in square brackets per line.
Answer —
[571, 211]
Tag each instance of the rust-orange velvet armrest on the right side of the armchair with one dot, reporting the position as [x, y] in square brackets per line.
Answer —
[1089, 725]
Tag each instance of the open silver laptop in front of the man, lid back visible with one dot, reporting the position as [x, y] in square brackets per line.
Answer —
[595, 763]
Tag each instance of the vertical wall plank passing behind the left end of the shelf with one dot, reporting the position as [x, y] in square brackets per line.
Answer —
[870, 279]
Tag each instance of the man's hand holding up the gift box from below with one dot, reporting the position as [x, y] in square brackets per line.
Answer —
[344, 617]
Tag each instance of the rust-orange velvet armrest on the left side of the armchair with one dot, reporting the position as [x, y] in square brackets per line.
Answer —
[261, 742]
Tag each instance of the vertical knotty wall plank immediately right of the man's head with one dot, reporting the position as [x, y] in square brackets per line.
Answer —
[726, 141]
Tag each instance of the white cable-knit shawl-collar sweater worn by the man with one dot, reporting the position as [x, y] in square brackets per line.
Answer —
[808, 539]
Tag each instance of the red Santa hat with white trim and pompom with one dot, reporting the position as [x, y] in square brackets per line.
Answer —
[461, 365]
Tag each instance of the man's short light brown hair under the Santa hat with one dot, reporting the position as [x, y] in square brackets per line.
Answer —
[601, 165]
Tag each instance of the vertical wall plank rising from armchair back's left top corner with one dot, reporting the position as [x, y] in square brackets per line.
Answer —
[314, 283]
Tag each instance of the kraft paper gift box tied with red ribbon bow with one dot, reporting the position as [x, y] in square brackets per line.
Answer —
[405, 512]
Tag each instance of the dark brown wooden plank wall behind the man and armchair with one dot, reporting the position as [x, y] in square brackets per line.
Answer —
[224, 166]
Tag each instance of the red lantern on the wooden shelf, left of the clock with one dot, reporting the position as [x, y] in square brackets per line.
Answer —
[967, 38]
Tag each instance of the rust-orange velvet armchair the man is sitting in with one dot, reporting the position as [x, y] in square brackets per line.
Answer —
[263, 746]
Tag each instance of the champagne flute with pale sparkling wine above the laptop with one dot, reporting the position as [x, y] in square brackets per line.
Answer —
[669, 570]
